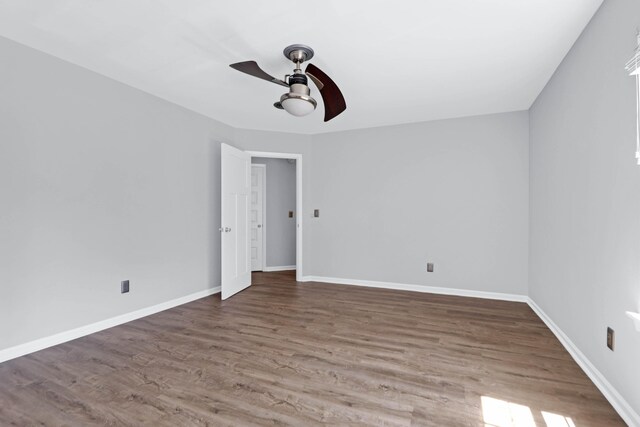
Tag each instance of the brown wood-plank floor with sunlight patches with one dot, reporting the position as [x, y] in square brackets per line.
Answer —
[308, 354]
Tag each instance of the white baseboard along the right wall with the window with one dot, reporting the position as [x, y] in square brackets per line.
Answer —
[628, 414]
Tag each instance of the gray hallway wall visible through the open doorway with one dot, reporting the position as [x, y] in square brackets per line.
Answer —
[281, 198]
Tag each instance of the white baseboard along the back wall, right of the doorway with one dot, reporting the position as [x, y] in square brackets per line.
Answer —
[418, 288]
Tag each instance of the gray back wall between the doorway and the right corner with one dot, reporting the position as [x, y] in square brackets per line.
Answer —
[454, 192]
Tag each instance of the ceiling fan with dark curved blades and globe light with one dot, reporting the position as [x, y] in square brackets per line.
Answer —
[297, 101]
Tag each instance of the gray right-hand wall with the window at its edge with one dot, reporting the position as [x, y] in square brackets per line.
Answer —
[585, 197]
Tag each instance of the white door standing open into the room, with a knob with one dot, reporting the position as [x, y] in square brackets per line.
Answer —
[236, 186]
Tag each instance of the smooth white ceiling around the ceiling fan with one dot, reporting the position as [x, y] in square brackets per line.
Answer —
[396, 61]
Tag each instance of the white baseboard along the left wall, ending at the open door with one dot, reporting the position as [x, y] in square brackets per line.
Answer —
[62, 337]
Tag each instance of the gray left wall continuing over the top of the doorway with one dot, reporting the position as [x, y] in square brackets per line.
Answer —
[101, 182]
